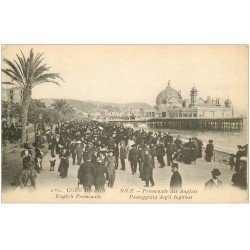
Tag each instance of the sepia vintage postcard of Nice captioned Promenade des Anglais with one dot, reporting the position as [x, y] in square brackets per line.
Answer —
[124, 123]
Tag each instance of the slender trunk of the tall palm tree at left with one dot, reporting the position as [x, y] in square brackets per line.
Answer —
[25, 109]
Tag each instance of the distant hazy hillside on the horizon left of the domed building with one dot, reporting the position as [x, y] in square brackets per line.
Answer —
[86, 106]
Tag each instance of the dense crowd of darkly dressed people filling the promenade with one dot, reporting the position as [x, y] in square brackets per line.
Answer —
[99, 149]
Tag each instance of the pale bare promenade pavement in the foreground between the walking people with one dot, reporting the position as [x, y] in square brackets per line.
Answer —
[192, 176]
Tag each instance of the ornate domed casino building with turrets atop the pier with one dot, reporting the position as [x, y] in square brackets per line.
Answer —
[170, 104]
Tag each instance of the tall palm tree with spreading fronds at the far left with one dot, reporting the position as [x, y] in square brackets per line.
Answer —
[27, 73]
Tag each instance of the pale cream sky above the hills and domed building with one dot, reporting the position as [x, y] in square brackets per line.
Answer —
[137, 73]
